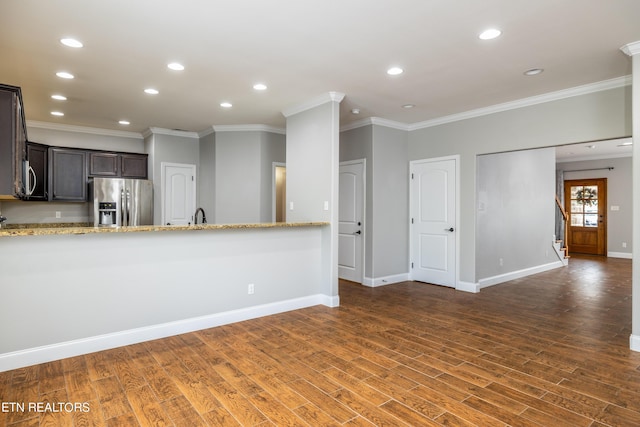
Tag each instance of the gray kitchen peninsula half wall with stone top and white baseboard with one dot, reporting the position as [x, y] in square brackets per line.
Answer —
[69, 291]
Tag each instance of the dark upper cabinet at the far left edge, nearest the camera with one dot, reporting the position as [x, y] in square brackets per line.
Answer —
[13, 137]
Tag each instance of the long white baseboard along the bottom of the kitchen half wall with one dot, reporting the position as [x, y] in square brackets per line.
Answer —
[48, 353]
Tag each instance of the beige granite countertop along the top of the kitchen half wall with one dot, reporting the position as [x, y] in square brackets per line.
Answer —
[55, 229]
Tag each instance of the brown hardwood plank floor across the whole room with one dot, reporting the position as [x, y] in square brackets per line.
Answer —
[548, 350]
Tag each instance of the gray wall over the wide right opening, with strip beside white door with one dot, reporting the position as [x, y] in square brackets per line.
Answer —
[600, 115]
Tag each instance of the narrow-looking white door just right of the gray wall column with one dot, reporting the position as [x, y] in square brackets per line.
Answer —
[351, 221]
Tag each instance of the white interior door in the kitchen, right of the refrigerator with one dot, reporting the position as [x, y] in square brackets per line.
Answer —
[178, 193]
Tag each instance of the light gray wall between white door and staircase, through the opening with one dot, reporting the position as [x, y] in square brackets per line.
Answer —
[515, 211]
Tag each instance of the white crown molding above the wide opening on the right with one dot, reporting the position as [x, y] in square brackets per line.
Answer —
[526, 102]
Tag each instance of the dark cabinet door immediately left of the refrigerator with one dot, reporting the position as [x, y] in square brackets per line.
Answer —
[67, 175]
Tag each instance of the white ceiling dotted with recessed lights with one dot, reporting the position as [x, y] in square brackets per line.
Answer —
[301, 49]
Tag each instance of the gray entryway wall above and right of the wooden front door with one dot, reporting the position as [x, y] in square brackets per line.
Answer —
[619, 190]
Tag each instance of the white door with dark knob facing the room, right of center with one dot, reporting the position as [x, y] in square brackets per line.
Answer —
[433, 222]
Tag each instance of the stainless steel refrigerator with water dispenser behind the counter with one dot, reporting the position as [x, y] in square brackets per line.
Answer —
[119, 202]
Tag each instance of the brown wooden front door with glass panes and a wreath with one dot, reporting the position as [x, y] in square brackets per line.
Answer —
[586, 203]
